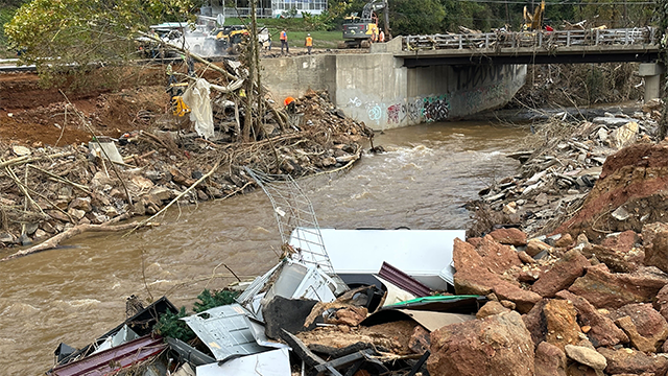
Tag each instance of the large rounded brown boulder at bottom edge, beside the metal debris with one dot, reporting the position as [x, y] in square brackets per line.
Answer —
[497, 345]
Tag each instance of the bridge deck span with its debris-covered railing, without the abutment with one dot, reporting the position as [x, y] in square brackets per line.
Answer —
[535, 47]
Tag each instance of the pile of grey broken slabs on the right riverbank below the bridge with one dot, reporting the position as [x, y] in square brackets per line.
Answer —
[555, 178]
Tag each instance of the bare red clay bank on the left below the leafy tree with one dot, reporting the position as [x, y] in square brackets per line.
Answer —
[34, 116]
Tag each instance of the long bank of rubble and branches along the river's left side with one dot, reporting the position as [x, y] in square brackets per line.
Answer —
[49, 191]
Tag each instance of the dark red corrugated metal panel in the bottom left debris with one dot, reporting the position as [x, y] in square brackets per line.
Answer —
[114, 359]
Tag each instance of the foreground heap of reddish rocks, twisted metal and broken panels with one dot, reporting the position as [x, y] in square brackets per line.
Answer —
[542, 306]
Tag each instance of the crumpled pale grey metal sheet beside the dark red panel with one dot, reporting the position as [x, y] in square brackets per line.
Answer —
[226, 331]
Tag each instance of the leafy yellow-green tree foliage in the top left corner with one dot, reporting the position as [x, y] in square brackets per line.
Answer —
[79, 32]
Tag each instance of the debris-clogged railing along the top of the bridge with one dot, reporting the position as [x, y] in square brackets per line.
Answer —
[537, 39]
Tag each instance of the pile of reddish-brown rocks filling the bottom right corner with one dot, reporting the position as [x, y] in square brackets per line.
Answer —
[586, 309]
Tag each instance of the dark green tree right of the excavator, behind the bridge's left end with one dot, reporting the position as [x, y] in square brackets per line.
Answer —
[416, 16]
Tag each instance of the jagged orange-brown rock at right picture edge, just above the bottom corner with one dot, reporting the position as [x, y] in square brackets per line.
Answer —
[645, 327]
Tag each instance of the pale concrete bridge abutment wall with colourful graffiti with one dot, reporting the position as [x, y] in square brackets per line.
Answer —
[379, 90]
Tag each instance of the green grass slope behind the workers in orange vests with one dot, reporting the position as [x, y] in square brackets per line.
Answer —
[297, 30]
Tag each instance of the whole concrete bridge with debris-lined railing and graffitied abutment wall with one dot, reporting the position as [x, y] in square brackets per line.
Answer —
[418, 79]
